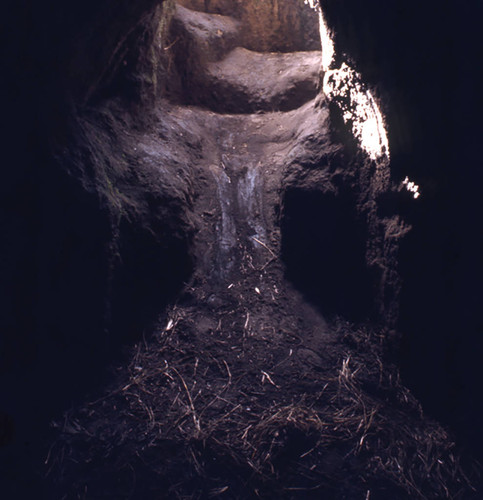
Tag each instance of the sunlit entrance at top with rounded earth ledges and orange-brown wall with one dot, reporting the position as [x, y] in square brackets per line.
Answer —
[244, 57]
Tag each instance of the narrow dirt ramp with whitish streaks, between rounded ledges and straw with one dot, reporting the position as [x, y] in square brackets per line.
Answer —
[239, 286]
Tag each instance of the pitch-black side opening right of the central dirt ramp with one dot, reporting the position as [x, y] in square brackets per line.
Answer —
[323, 247]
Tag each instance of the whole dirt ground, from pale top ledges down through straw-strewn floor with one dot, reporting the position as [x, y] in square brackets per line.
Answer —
[245, 390]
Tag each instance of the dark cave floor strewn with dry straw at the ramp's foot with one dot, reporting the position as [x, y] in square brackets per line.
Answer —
[201, 425]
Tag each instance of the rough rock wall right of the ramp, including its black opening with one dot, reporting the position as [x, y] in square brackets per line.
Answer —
[341, 241]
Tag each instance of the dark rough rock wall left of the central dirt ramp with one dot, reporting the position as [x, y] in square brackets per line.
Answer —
[96, 233]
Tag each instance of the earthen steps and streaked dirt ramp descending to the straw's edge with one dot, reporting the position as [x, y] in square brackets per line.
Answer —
[257, 112]
